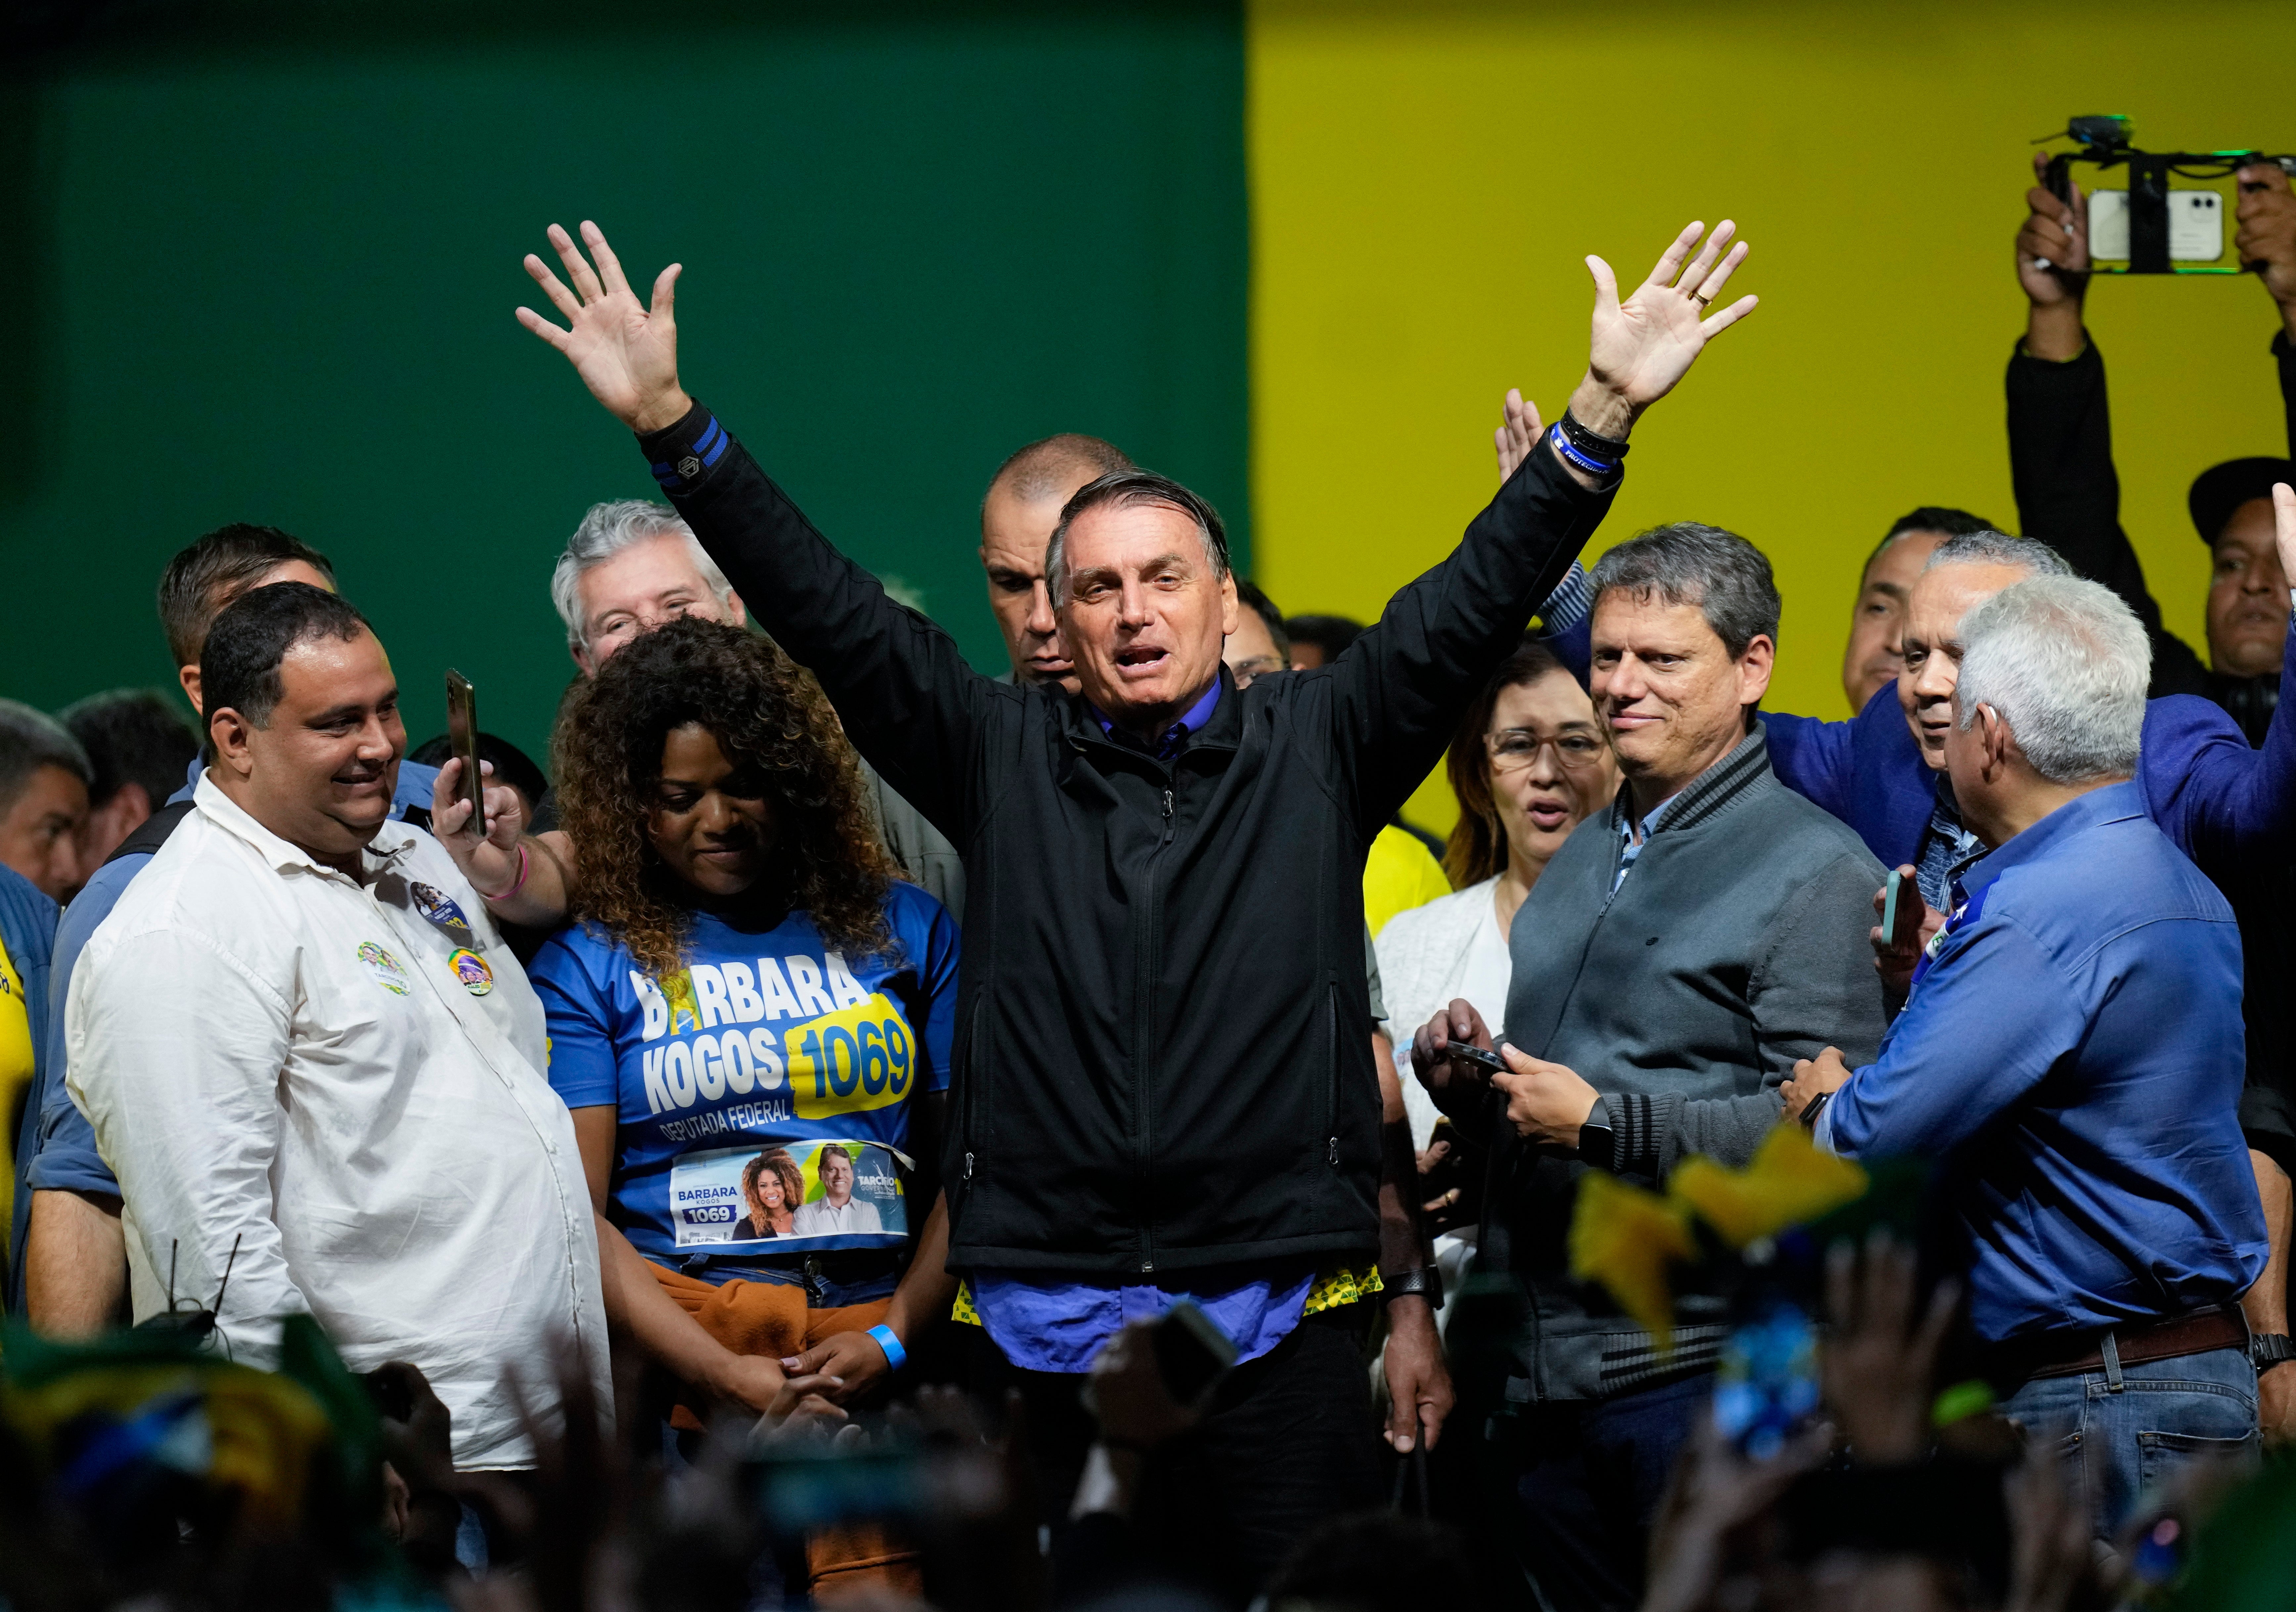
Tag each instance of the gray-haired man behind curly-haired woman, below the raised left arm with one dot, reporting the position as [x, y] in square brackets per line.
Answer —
[633, 566]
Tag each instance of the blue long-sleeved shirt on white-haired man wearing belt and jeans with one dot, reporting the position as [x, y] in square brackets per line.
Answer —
[2074, 1055]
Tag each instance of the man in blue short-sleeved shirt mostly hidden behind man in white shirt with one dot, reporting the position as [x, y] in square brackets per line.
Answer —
[72, 1276]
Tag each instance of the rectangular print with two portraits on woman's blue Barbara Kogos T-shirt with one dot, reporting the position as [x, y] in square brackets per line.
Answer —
[789, 1198]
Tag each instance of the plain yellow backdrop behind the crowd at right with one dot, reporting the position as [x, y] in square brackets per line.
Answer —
[1427, 183]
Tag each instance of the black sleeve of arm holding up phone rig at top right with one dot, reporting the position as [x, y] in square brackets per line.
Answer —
[2070, 497]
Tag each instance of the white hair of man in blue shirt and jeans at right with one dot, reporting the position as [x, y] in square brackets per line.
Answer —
[2065, 662]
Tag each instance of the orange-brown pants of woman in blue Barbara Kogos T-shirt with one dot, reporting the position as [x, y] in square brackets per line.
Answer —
[773, 1319]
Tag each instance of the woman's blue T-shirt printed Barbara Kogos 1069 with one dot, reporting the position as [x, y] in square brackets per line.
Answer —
[743, 1076]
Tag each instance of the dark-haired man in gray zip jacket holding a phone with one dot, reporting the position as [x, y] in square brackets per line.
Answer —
[1673, 963]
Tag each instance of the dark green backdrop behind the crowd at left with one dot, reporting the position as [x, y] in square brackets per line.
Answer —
[267, 261]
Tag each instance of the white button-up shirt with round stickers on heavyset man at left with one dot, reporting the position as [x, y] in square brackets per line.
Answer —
[348, 1085]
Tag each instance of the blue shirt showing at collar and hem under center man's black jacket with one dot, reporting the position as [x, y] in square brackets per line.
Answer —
[1060, 1324]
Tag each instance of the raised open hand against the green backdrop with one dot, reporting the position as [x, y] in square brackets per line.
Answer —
[623, 352]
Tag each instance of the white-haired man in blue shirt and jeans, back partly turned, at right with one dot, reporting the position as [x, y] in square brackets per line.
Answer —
[2072, 1055]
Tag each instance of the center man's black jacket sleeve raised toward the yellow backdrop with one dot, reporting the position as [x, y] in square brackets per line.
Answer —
[1402, 688]
